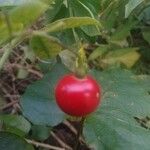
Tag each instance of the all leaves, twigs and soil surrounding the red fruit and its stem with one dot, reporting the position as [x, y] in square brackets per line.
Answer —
[39, 41]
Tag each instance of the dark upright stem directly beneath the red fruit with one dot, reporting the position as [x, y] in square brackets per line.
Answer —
[79, 133]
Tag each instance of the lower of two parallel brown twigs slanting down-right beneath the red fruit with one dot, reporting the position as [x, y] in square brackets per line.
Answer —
[64, 145]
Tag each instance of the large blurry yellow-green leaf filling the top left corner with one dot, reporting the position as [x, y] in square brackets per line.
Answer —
[19, 18]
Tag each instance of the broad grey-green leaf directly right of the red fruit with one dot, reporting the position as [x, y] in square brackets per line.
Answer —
[125, 92]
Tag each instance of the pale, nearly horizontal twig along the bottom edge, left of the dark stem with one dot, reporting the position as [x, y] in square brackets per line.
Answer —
[38, 144]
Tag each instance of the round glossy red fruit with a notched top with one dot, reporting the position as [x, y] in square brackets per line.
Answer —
[77, 97]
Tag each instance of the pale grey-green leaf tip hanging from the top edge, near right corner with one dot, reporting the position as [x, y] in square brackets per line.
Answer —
[132, 4]
